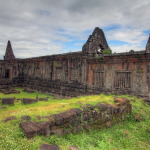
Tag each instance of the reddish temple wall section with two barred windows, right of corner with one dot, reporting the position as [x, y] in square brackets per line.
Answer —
[124, 74]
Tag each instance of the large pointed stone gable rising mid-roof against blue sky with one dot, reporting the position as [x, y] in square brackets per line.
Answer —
[95, 42]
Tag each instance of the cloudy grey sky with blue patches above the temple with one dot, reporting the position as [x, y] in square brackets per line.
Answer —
[45, 27]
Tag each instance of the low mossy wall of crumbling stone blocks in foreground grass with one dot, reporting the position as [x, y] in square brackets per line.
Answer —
[76, 120]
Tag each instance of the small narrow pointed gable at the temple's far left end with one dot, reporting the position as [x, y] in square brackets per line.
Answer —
[9, 55]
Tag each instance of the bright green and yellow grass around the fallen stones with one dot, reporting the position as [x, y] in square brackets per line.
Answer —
[127, 135]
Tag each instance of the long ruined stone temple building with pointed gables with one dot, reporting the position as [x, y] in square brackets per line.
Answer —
[89, 71]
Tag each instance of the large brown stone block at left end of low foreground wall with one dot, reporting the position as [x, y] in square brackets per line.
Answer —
[32, 128]
